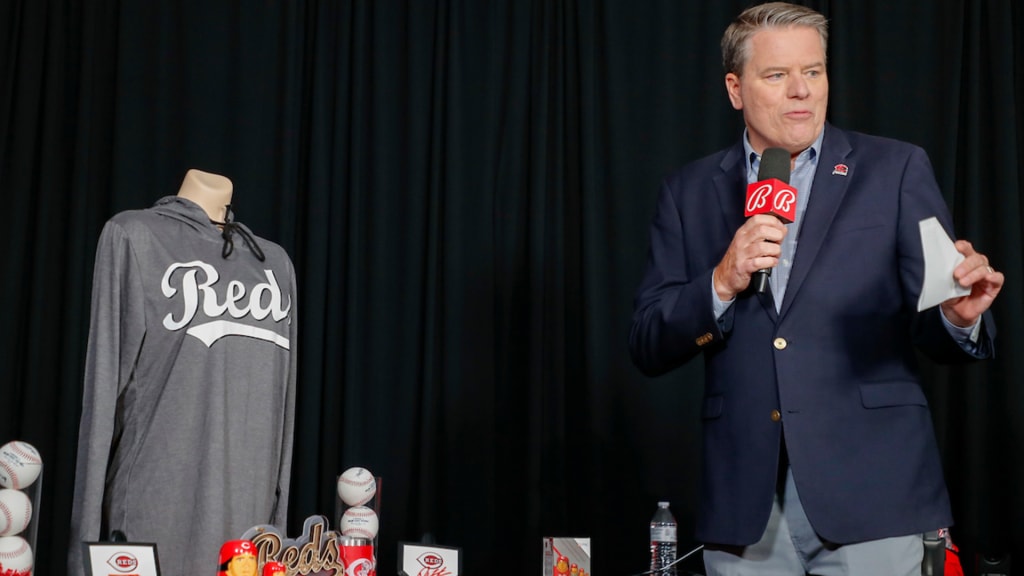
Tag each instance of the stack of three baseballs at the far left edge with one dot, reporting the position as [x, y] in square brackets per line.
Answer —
[20, 467]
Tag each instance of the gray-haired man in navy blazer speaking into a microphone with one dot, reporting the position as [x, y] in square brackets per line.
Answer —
[820, 455]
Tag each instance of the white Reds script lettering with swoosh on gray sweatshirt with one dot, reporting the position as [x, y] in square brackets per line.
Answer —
[236, 304]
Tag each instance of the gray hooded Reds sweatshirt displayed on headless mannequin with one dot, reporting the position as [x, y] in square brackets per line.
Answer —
[189, 403]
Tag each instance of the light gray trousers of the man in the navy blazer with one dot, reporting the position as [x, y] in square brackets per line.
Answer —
[791, 548]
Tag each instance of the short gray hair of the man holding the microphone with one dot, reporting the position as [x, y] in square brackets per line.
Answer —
[736, 42]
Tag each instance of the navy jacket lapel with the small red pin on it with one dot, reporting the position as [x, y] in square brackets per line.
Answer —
[831, 185]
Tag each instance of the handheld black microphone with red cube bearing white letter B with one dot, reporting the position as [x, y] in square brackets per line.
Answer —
[772, 195]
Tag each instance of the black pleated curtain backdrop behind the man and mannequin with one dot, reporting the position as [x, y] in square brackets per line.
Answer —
[465, 189]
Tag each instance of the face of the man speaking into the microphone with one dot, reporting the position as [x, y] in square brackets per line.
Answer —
[784, 90]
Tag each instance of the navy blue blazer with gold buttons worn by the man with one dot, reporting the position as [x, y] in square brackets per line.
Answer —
[834, 371]
